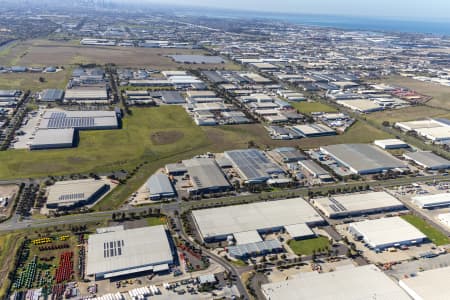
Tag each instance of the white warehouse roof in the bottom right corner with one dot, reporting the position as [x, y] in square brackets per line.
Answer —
[430, 284]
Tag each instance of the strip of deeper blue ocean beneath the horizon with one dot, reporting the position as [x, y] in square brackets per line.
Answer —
[343, 22]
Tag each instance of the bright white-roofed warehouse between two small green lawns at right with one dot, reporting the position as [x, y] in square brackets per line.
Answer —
[384, 233]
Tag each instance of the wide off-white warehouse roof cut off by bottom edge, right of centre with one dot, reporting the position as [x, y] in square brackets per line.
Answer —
[349, 283]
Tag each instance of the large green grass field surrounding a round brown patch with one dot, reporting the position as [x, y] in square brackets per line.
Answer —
[103, 151]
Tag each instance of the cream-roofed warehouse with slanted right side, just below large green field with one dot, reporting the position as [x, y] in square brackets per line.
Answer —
[75, 193]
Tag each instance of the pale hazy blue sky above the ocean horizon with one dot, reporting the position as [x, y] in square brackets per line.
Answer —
[418, 9]
